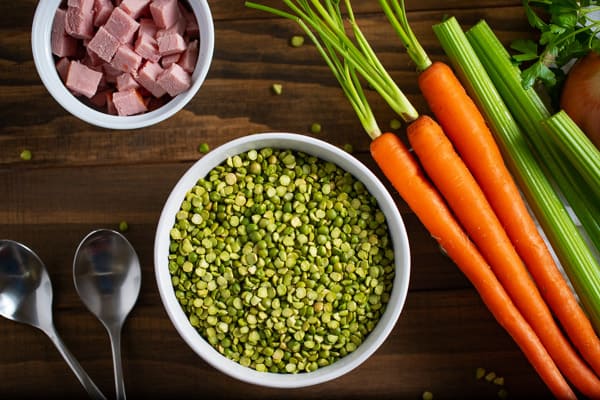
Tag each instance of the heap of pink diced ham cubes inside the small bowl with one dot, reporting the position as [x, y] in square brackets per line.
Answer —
[125, 56]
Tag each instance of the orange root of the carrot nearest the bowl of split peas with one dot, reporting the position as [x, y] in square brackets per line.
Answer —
[406, 176]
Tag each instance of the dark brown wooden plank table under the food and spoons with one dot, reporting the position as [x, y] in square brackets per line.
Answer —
[82, 177]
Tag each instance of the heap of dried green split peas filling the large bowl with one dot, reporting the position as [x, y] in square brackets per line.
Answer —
[282, 261]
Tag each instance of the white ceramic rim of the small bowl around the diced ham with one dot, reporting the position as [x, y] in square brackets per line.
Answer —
[45, 65]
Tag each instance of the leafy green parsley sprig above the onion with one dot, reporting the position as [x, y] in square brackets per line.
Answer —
[568, 30]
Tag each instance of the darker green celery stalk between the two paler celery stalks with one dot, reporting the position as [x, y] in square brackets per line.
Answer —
[530, 112]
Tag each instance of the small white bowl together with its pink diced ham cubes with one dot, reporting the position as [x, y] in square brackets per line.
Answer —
[122, 64]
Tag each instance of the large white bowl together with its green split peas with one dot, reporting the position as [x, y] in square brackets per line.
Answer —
[282, 260]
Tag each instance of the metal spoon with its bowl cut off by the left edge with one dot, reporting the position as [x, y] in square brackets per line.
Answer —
[26, 297]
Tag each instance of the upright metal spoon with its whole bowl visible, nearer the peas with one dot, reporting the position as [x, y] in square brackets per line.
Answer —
[107, 276]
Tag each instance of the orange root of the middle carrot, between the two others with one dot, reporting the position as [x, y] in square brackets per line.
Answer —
[464, 196]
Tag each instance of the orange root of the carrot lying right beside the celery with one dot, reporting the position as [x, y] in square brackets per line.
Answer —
[465, 126]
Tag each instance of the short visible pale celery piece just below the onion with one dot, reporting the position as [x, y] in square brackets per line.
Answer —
[578, 148]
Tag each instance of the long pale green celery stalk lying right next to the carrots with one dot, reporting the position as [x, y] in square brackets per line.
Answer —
[569, 245]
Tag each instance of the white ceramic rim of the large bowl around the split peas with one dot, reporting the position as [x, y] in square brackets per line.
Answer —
[326, 152]
